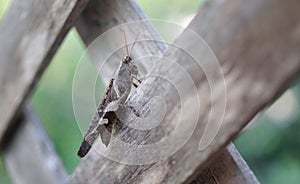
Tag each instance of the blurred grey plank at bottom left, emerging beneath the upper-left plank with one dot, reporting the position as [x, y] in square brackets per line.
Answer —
[30, 156]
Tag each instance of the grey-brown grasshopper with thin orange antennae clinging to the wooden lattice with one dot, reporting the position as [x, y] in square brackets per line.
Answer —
[115, 96]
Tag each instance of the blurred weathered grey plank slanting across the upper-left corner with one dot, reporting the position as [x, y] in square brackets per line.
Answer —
[30, 33]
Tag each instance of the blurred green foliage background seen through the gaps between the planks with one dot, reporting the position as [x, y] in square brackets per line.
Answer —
[270, 145]
